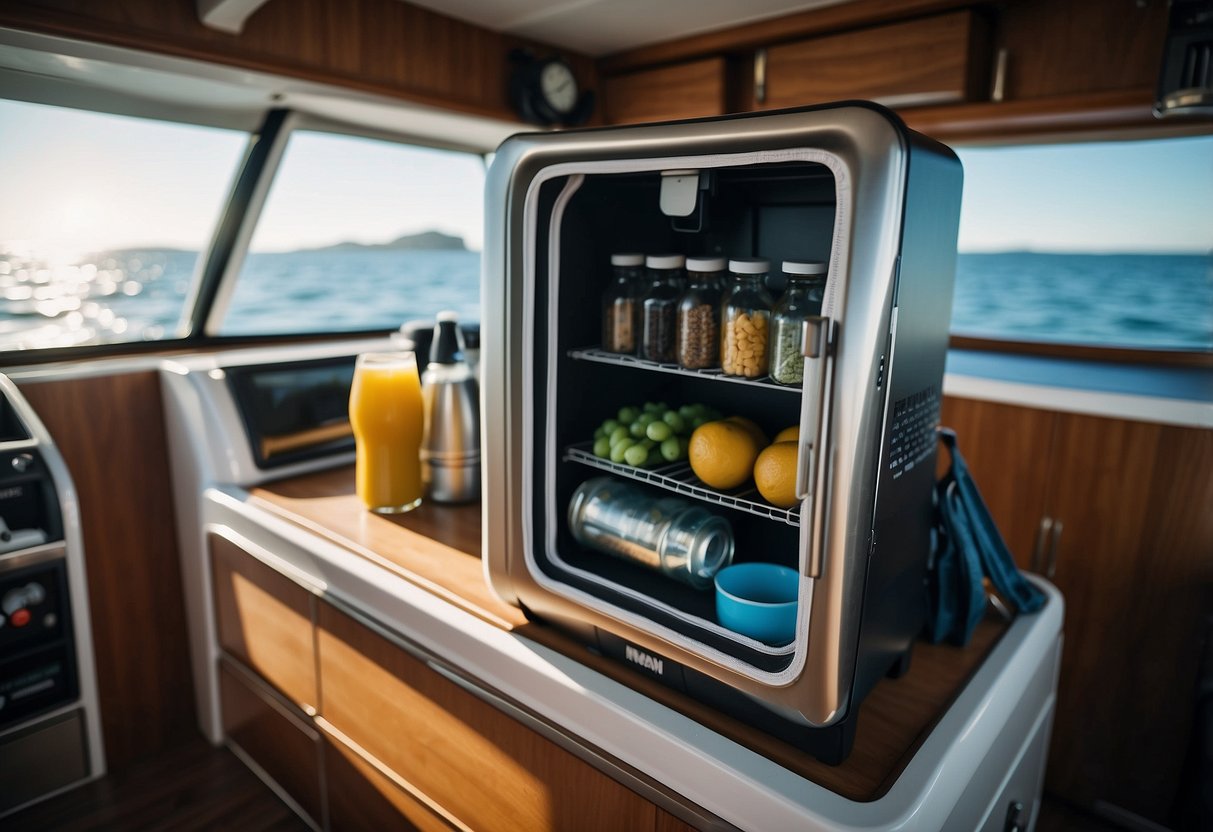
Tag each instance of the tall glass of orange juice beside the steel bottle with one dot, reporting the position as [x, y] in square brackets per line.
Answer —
[388, 417]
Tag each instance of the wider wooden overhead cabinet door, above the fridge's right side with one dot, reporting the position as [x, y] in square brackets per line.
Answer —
[932, 60]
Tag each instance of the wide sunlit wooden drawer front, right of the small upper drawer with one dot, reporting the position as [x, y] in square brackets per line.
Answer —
[482, 767]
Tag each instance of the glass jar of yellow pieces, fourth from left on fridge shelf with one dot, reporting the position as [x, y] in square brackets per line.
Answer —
[745, 317]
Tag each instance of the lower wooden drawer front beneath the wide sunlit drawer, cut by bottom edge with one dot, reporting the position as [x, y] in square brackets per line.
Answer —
[362, 797]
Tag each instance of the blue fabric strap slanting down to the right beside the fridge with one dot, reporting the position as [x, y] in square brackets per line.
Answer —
[981, 532]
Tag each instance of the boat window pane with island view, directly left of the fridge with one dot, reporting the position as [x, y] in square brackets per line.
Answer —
[361, 235]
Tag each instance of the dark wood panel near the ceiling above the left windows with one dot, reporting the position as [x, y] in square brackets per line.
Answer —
[383, 47]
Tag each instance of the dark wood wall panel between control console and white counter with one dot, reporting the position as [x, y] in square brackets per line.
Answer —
[111, 434]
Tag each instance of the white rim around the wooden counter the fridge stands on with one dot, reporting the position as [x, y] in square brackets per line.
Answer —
[708, 770]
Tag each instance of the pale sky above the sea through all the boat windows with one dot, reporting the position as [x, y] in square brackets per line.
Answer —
[77, 183]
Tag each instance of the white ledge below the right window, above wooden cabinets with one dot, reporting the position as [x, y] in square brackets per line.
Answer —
[1184, 413]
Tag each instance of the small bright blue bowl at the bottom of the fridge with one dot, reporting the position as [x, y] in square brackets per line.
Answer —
[759, 600]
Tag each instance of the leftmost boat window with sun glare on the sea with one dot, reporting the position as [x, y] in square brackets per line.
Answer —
[102, 221]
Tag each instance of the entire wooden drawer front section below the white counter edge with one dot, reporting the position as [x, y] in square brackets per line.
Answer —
[386, 742]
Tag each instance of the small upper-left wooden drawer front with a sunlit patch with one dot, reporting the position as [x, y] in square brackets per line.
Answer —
[265, 620]
